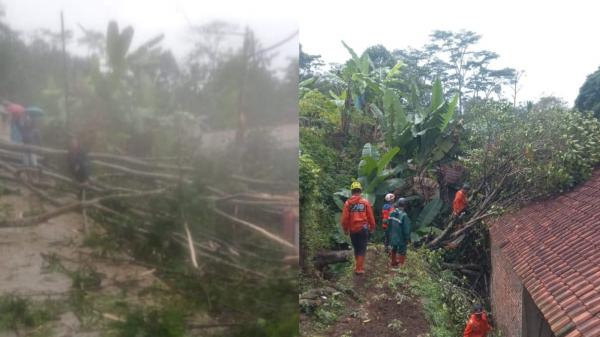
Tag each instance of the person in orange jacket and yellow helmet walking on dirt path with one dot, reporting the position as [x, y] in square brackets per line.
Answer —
[358, 222]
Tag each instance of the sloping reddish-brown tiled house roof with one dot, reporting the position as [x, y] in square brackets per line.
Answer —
[554, 247]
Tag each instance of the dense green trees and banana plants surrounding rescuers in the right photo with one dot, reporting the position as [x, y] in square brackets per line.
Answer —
[399, 120]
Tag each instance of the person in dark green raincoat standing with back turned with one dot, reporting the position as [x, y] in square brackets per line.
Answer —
[399, 233]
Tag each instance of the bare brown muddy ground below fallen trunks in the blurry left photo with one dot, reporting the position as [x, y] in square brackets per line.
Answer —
[26, 273]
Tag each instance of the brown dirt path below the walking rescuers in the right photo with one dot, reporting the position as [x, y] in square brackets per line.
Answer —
[387, 308]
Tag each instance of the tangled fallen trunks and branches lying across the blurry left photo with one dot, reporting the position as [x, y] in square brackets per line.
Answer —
[132, 184]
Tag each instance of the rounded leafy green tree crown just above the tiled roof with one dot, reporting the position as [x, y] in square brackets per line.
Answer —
[549, 150]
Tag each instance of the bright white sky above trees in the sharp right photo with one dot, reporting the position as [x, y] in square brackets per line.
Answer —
[557, 43]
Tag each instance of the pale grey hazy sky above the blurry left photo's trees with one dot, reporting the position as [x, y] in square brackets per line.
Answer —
[272, 21]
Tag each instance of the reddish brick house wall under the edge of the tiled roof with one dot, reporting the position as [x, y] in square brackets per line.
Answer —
[506, 295]
